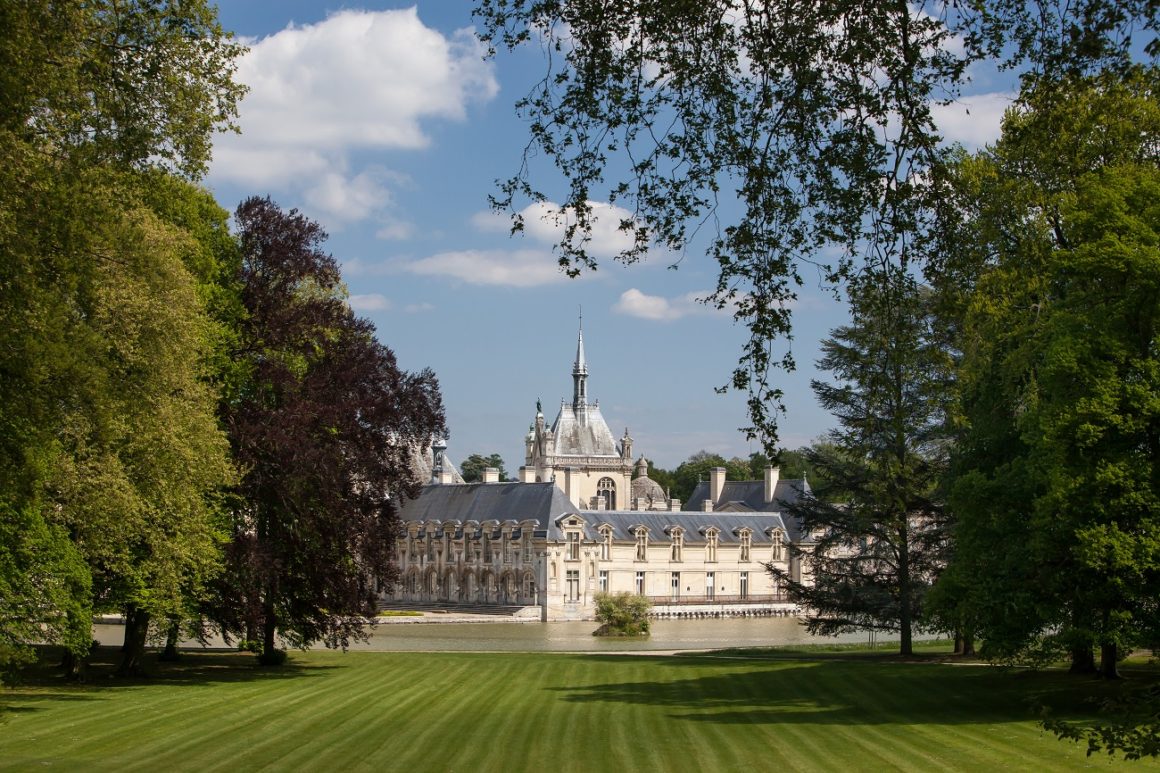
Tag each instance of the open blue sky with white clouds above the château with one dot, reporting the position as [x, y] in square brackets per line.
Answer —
[385, 124]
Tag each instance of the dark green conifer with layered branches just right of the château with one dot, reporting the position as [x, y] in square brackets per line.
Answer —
[875, 554]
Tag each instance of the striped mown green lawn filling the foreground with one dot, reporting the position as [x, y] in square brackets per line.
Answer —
[738, 711]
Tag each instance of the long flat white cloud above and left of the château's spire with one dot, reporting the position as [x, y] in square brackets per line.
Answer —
[495, 268]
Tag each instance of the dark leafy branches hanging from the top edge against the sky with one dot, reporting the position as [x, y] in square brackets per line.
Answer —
[800, 131]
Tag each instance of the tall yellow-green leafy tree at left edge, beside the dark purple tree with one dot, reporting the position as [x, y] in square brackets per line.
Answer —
[103, 328]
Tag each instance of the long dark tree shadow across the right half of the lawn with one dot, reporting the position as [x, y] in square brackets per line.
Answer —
[844, 691]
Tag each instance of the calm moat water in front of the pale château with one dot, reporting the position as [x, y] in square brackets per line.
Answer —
[571, 637]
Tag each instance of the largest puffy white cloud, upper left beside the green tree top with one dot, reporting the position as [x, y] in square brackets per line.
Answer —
[359, 81]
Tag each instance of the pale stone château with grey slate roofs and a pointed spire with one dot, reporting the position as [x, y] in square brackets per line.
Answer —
[577, 524]
